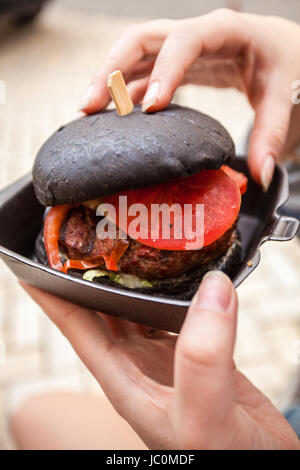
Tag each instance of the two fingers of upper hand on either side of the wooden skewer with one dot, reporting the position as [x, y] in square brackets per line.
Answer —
[178, 44]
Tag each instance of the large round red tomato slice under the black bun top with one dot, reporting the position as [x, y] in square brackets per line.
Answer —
[214, 189]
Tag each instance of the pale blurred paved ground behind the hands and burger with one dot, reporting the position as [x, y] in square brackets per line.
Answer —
[45, 69]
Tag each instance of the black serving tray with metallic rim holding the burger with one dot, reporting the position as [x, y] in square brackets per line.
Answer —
[21, 219]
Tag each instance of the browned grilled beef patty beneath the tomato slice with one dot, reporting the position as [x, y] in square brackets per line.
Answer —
[78, 240]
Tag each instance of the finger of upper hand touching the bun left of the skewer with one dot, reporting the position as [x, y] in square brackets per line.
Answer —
[138, 42]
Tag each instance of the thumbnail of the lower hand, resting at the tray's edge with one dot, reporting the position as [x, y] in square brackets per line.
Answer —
[215, 292]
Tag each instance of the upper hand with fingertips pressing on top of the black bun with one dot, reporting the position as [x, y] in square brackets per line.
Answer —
[258, 55]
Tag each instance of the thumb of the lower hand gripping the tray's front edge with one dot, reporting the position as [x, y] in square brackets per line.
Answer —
[203, 361]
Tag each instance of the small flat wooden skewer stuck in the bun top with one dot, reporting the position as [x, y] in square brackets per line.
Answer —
[118, 91]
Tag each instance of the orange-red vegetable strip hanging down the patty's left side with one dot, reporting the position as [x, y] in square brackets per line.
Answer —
[53, 222]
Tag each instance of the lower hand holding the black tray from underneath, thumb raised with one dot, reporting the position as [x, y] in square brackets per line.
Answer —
[176, 392]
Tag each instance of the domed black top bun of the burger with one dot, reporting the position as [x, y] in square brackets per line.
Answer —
[104, 153]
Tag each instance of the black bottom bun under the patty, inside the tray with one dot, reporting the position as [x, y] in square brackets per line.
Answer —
[181, 288]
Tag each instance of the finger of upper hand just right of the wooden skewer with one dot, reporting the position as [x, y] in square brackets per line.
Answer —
[193, 38]
